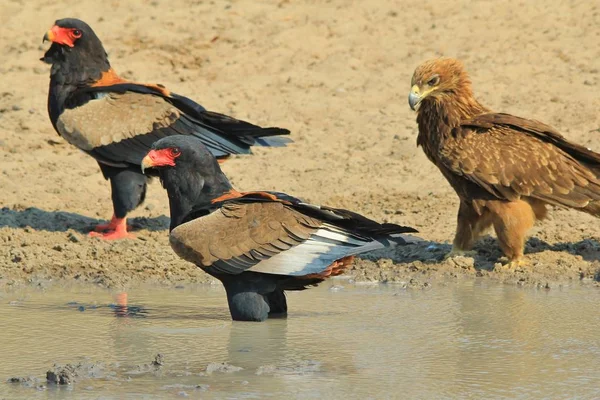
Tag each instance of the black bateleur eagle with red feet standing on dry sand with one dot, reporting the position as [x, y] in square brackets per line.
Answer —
[116, 121]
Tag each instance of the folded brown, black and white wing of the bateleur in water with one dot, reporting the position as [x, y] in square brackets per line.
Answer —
[267, 236]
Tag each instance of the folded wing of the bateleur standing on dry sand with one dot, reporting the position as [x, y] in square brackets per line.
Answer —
[120, 123]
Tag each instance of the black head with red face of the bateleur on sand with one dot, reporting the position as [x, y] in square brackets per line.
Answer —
[73, 41]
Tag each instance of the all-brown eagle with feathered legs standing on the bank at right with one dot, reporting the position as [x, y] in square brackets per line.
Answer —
[505, 169]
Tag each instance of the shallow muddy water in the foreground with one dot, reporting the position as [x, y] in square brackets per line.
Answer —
[471, 340]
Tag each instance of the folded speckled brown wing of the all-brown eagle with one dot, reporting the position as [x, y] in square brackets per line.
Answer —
[510, 157]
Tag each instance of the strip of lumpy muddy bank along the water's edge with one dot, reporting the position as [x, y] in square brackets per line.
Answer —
[32, 257]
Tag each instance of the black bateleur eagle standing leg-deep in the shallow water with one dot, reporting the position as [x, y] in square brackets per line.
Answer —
[258, 244]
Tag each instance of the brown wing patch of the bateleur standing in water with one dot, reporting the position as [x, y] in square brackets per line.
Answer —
[243, 233]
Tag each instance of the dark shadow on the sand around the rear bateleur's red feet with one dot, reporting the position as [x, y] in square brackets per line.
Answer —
[62, 221]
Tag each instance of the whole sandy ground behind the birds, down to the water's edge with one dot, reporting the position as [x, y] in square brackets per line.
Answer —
[337, 73]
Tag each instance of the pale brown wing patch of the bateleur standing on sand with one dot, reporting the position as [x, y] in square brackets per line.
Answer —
[113, 118]
